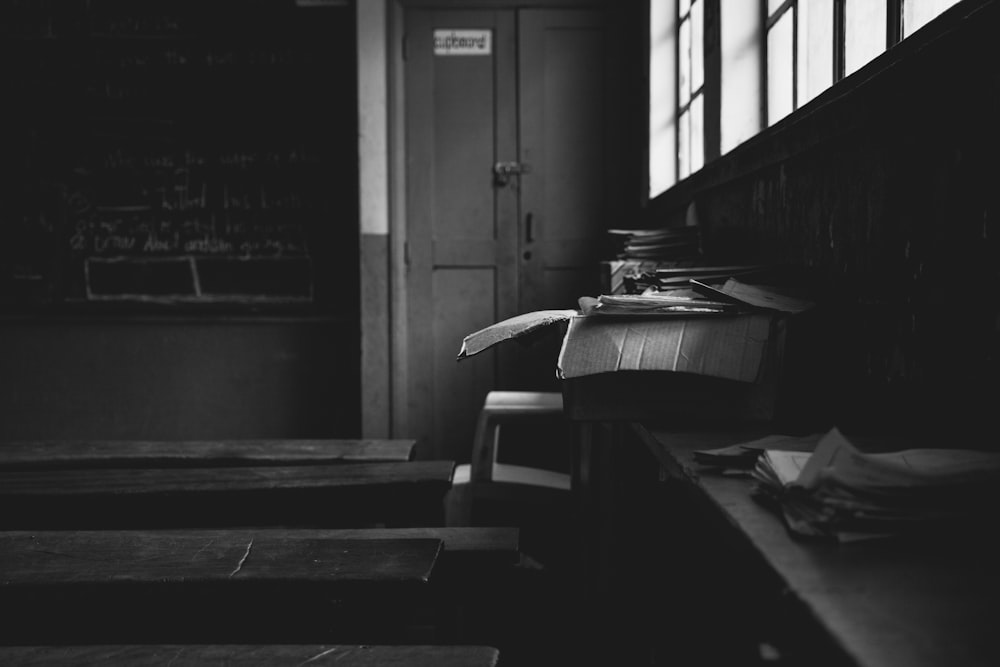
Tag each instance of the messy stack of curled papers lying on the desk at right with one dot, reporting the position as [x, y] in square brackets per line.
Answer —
[838, 491]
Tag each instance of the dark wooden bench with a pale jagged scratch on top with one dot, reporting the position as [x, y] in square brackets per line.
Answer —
[222, 586]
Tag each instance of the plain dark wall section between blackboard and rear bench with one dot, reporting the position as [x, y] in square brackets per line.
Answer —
[174, 379]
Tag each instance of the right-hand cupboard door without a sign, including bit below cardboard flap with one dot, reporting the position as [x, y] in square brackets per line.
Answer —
[569, 139]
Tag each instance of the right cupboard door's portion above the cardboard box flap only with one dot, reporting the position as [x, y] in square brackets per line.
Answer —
[563, 114]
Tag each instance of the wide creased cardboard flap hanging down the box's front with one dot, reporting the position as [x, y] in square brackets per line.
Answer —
[731, 347]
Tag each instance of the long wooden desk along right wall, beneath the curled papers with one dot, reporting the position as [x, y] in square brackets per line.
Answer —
[739, 576]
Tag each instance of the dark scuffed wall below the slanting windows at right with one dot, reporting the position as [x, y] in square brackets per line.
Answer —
[885, 189]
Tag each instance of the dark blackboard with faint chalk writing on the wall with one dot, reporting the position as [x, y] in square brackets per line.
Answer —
[181, 152]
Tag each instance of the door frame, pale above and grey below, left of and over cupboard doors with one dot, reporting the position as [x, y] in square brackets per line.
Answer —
[384, 349]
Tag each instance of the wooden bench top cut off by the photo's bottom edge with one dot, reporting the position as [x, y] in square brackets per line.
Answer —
[257, 654]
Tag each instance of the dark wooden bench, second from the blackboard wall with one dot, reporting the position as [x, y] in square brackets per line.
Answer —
[355, 495]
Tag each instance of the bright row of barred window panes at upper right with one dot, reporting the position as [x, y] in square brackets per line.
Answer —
[772, 58]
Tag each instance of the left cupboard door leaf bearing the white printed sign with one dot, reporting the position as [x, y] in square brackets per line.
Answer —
[461, 275]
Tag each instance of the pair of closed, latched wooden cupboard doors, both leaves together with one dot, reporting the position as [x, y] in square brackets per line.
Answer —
[480, 247]
